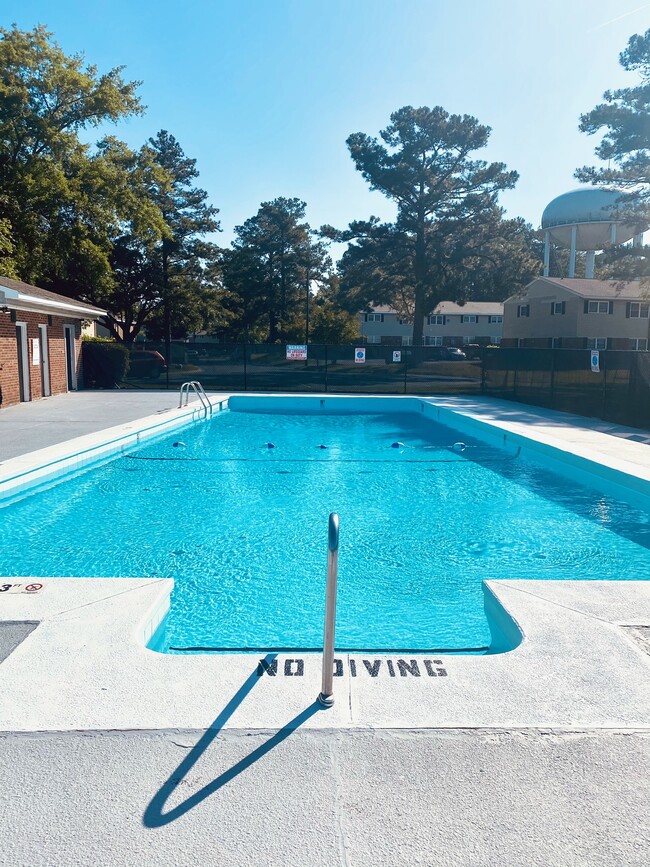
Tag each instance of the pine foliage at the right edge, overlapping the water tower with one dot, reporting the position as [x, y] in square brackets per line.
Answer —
[624, 119]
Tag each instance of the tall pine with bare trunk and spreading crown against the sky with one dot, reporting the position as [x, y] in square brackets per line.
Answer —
[424, 164]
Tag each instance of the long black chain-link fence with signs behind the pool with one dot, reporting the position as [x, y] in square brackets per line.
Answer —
[556, 378]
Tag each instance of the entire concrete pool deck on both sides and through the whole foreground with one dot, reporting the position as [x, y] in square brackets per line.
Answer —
[539, 756]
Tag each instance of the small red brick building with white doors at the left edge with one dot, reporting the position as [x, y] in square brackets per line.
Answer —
[40, 342]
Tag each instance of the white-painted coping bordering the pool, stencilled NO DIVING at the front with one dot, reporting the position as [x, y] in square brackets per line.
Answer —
[577, 666]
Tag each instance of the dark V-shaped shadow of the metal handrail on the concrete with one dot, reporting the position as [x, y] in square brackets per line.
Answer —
[154, 817]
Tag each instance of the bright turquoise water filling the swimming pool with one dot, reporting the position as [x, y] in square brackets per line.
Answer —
[242, 528]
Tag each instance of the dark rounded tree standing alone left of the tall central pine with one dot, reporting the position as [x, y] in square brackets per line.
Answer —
[274, 261]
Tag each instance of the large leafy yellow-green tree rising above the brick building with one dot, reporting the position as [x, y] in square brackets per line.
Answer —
[54, 198]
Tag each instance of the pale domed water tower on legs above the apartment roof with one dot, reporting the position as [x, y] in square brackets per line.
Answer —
[587, 219]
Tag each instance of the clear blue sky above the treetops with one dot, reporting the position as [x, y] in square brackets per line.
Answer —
[263, 93]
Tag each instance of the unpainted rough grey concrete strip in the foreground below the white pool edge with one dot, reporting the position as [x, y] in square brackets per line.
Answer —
[362, 799]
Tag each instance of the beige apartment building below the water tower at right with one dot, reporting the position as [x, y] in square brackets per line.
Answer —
[578, 314]
